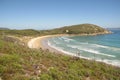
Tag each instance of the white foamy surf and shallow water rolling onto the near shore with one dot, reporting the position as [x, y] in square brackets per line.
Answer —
[111, 58]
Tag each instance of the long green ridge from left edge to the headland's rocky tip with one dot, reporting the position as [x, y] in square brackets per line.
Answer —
[74, 29]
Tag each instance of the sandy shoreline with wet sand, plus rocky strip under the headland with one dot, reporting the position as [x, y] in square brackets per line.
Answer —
[41, 42]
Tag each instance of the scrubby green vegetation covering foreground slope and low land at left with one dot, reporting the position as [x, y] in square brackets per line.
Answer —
[18, 62]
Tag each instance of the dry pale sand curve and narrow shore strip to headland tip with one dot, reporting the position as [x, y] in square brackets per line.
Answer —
[36, 43]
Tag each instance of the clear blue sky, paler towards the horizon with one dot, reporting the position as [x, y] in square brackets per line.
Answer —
[49, 14]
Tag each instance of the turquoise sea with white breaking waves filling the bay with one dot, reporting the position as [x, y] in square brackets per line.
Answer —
[105, 48]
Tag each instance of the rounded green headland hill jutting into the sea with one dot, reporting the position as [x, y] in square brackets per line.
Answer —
[80, 29]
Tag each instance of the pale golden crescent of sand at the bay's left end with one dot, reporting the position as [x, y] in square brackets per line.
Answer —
[42, 42]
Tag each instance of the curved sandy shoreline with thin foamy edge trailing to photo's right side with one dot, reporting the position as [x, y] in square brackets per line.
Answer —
[42, 42]
